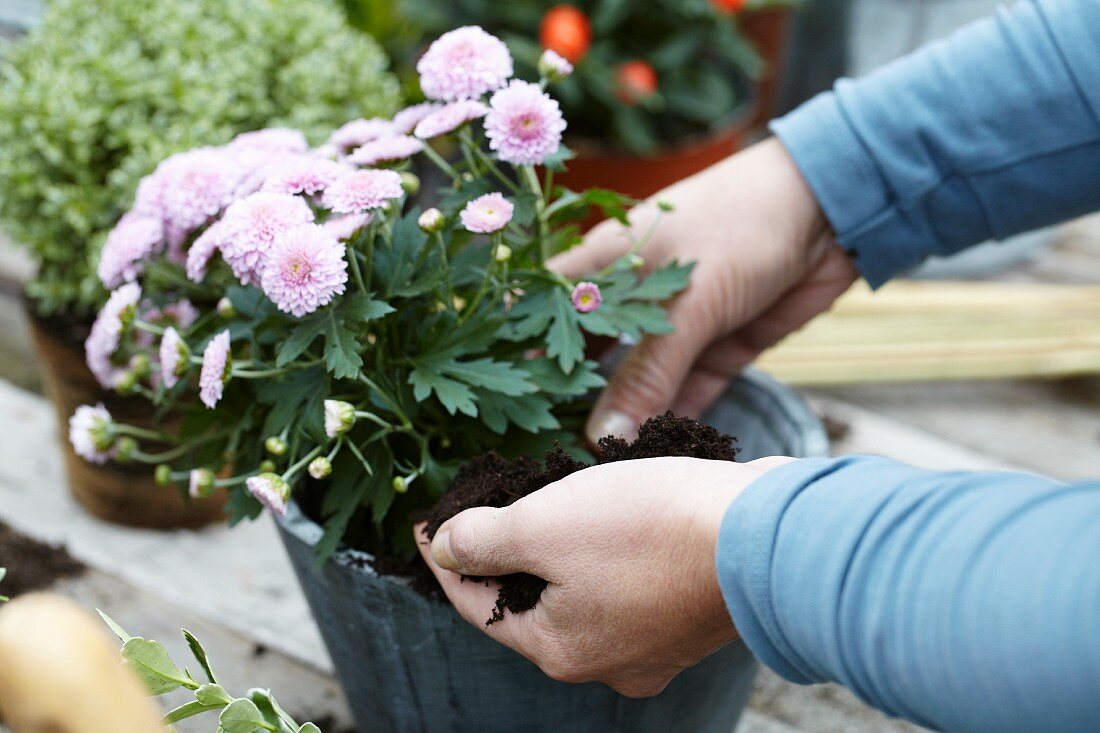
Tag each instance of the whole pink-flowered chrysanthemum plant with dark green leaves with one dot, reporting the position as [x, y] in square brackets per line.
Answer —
[303, 329]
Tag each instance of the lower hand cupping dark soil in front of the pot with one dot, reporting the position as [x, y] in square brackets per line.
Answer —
[629, 550]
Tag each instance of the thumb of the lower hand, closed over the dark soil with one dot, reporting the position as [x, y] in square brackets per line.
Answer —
[482, 542]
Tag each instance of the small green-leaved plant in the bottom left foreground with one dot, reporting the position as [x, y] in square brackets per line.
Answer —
[257, 712]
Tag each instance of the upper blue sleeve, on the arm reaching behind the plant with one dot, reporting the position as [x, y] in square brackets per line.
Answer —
[988, 134]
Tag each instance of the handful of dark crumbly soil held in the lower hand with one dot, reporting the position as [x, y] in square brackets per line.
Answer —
[490, 480]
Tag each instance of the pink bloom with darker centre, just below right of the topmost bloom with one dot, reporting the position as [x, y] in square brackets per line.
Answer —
[525, 125]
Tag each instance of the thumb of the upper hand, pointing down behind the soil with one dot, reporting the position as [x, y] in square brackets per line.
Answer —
[648, 380]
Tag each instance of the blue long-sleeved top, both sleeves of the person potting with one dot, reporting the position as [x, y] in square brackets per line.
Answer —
[961, 601]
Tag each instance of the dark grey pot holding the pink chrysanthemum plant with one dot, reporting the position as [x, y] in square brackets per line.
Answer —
[410, 665]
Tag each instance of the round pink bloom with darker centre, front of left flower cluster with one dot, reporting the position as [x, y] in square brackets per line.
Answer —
[305, 270]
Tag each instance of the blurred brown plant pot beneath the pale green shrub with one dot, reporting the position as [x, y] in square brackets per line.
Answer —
[124, 495]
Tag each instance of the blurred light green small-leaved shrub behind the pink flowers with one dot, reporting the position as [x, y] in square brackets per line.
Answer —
[93, 99]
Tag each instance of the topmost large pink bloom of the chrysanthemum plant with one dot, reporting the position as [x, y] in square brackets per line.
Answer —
[465, 64]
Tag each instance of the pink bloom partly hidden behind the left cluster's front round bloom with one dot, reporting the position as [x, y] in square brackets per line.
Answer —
[251, 227]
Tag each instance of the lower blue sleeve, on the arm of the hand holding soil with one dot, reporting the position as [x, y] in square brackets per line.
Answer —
[965, 603]
